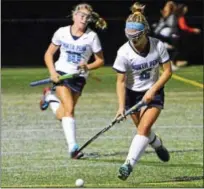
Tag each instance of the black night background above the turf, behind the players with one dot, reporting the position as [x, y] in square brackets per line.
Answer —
[28, 26]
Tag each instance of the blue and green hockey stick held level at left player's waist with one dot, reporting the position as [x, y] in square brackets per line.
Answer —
[48, 80]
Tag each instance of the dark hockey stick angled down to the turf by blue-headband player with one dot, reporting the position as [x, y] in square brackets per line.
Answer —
[116, 120]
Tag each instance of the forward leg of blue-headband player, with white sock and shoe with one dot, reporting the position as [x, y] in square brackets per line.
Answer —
[140, 141]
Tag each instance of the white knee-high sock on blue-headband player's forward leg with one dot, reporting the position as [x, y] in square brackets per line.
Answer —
[137, 148]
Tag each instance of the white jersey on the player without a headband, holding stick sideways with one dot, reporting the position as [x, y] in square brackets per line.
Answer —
[73, 51]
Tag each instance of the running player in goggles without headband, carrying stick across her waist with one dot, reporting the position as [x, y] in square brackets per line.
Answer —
[77, 42]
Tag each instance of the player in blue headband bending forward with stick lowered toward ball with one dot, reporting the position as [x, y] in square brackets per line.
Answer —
[137, 65]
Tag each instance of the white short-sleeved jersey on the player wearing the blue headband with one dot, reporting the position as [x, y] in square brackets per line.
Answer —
[142, 72]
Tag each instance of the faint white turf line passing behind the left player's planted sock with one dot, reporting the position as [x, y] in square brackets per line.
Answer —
[97, 128]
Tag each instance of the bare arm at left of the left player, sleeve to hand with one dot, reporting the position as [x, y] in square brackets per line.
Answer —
[49, 61]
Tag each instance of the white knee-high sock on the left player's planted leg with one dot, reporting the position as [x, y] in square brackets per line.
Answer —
[69, 127]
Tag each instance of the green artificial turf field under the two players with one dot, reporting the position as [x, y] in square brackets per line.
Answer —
[34, 151]
